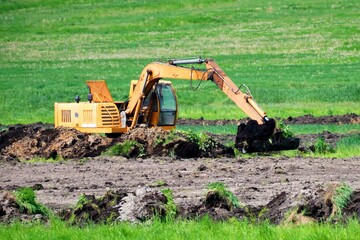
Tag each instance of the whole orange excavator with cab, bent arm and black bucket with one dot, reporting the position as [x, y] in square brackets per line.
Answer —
[153, 102]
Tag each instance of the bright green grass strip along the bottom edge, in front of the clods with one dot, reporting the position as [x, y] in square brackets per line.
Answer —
[201, 229]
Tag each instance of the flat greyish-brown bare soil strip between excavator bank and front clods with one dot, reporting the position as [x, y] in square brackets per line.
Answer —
[255, 181]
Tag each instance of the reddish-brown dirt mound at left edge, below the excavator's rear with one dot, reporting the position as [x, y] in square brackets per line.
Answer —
[30, 141]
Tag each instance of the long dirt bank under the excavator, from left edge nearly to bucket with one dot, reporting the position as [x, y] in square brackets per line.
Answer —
[37, 141]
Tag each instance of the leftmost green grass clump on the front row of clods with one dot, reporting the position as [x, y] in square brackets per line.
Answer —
[26, 199]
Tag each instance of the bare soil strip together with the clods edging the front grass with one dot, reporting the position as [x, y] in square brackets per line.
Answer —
[278, 184]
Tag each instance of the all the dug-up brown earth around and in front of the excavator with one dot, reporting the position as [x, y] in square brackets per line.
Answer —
[129, 189]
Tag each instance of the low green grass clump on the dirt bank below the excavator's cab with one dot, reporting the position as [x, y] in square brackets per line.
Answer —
[128, 148]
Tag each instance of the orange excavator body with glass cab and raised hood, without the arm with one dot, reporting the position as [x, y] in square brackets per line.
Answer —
[103, 115]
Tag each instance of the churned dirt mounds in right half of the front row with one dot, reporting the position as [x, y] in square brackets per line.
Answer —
[295, 208]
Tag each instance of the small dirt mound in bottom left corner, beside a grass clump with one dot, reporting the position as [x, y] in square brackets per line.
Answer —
[10, 211]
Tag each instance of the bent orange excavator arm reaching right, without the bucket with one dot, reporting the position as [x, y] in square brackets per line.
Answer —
[174, 69]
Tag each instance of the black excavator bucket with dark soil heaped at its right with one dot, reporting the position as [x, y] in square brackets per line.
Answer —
[252, 137]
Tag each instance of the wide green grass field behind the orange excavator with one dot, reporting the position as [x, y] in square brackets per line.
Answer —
[297, 57]
